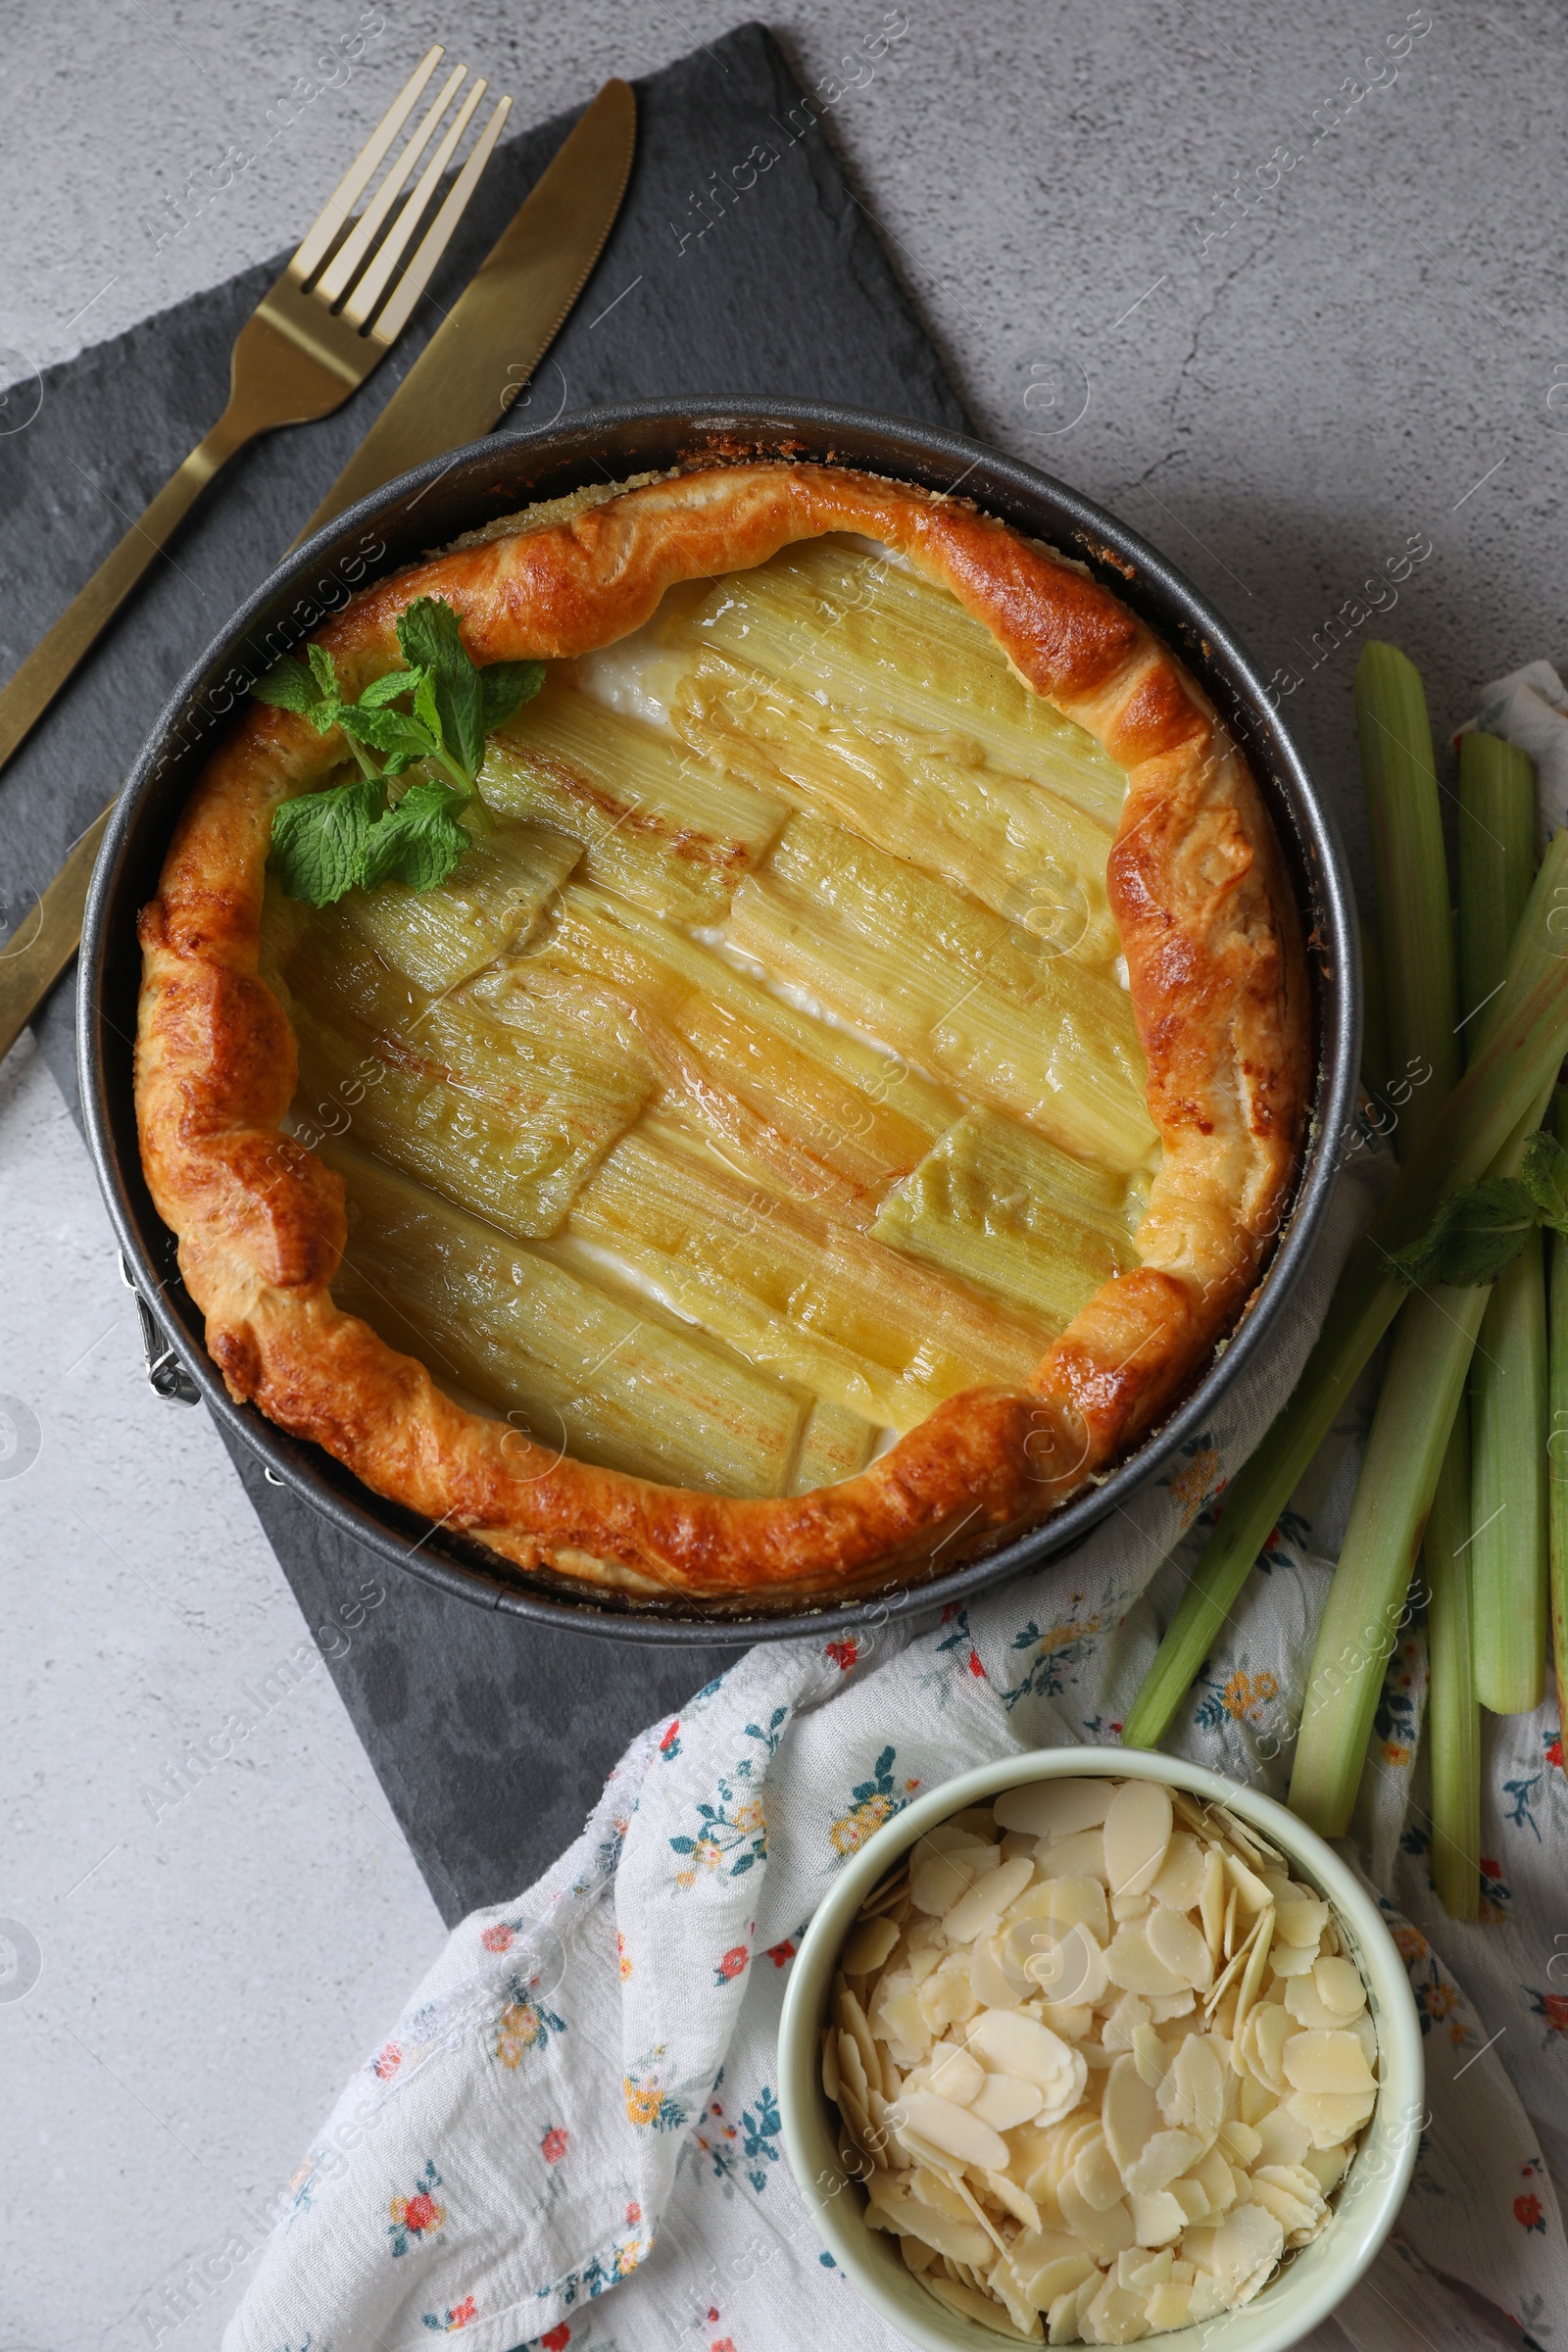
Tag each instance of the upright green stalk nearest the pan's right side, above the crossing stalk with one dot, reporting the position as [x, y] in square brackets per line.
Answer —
[1414, 904]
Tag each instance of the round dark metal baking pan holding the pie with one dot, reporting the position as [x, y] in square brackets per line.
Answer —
[509, 472]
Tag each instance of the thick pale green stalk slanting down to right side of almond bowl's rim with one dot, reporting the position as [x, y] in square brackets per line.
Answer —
[1405, 1455]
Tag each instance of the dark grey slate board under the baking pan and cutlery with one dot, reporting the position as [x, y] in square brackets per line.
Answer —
[490, 1735]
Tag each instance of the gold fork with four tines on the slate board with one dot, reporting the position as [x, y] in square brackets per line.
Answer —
[304, 349]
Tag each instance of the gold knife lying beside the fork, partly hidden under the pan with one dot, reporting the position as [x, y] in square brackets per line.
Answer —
[485, 349]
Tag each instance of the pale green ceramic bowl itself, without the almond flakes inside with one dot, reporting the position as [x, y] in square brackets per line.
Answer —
[1313, 2280]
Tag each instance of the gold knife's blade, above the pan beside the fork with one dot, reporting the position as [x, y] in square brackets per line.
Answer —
[511, 309]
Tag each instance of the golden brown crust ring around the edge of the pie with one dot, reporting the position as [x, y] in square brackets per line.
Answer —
[1219, 987]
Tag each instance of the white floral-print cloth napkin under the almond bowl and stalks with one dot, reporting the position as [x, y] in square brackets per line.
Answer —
[572, 2134]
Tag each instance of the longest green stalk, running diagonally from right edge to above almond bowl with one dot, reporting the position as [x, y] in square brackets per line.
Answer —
[1517, 1060]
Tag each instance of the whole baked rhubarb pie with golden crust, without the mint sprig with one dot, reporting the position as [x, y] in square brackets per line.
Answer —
[831, 1111]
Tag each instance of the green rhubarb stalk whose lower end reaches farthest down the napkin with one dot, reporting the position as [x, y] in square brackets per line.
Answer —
[1454, 1713]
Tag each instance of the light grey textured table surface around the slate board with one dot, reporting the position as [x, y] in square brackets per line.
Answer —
[1318, 309]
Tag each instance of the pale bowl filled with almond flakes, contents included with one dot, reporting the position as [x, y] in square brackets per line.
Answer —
[1097, 2045]
